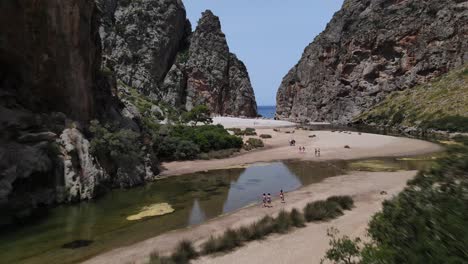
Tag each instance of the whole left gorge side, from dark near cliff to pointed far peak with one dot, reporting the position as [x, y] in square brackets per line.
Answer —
[80, 77]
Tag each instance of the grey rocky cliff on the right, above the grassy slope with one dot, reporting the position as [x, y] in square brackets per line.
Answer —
[369, 49]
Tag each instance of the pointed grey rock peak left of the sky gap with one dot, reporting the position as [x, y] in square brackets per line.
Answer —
[215, 77]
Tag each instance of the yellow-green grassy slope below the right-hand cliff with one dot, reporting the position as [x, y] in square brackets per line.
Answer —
[439, 105]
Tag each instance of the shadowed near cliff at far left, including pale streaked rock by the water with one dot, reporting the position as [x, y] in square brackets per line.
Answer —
[50, 81]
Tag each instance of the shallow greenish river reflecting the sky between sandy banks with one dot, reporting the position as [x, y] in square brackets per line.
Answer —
[196, 198]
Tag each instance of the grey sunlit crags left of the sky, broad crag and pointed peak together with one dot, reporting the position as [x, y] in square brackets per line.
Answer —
[150, 46]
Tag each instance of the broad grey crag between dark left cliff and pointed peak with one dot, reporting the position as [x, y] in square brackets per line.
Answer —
[142, 38]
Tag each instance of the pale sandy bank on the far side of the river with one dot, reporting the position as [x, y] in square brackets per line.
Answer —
[331, 144]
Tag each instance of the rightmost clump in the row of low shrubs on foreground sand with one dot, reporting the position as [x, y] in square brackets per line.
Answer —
[322, 210]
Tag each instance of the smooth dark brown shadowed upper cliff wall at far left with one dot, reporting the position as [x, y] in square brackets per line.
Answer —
[49, 57]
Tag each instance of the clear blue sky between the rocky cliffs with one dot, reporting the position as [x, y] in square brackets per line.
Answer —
[268, 35]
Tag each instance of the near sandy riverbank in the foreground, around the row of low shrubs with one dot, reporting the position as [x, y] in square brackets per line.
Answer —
[307, 245]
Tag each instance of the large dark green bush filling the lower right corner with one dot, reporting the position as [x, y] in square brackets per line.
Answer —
[425, 223]
